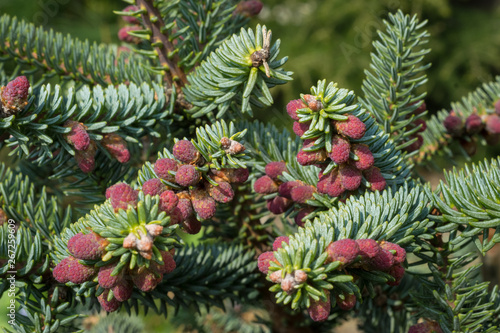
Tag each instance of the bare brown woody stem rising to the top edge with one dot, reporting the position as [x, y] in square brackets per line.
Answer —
[153, 21]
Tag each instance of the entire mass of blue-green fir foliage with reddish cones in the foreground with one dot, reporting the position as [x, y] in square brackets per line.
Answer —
[158, 142]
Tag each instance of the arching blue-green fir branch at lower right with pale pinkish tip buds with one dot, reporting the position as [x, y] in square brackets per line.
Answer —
[398, 217]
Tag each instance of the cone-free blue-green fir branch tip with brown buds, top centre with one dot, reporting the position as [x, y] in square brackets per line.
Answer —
[237, 74]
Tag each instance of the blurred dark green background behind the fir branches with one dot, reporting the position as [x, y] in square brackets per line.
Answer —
[323, 39]
